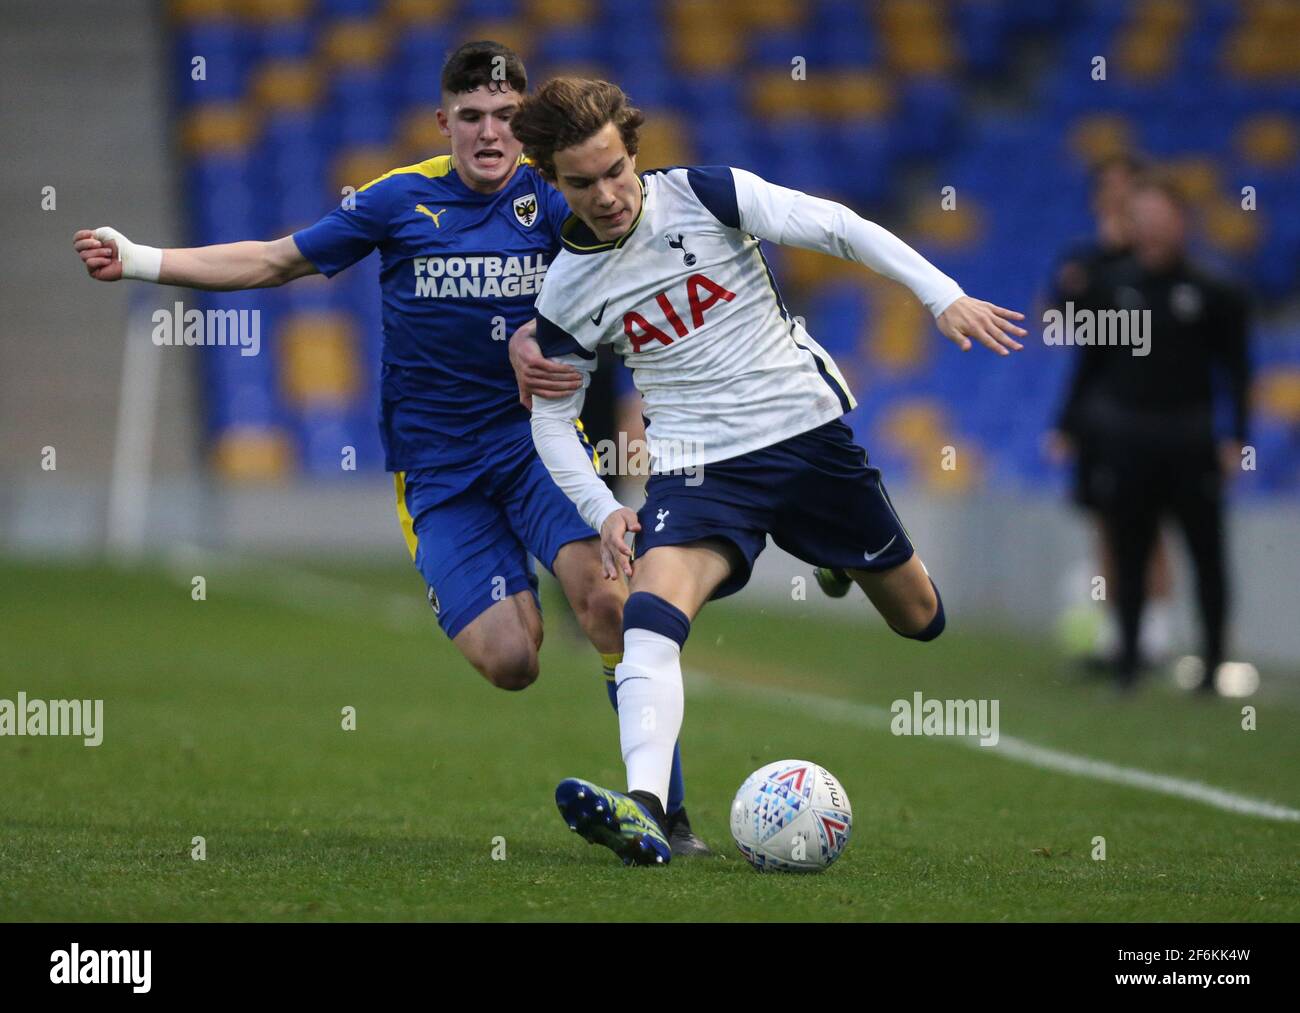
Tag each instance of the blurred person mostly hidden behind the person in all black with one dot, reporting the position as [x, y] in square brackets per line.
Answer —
[1076, 280]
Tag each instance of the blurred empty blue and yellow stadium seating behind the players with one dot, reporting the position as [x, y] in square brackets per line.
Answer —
[894, 102]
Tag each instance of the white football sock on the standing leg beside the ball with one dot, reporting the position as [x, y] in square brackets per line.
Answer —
[651, 709]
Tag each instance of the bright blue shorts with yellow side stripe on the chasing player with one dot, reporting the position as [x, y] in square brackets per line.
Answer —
[473, 529]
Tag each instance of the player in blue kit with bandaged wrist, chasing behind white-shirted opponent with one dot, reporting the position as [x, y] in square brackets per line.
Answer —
[465, 241]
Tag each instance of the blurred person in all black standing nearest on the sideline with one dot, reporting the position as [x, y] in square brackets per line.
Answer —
[1150, 419]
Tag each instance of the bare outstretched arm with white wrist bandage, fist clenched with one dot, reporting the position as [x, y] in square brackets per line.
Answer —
[111, 257]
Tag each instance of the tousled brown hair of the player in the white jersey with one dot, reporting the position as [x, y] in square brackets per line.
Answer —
[566, 112]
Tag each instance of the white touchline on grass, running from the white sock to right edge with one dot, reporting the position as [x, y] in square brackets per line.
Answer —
[866, 716]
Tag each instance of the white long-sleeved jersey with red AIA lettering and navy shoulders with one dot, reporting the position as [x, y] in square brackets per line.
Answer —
[686, 296]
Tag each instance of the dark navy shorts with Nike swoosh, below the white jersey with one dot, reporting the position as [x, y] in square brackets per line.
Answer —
[814, 493]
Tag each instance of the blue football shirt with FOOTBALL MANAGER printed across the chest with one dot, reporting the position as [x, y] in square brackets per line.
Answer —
[460, 275]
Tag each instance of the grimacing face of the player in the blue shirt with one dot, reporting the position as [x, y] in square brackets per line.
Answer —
[484, 149]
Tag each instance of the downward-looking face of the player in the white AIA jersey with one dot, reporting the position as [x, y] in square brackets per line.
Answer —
[599, 180]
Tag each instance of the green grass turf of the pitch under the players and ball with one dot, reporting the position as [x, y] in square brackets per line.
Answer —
[223, 720]
